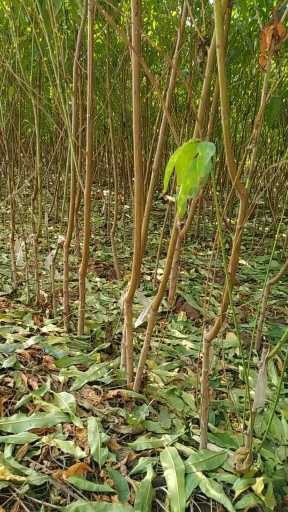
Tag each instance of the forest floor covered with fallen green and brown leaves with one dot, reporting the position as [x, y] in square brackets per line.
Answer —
[74, 438]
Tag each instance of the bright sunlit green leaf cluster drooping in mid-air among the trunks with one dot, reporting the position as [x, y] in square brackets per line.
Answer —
[192, 163]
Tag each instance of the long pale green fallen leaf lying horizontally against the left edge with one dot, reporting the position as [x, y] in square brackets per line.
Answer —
[20, 422]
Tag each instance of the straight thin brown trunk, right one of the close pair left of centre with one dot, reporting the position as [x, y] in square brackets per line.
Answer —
[89, 174]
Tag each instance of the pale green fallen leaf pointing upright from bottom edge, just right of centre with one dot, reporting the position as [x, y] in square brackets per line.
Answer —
[174, 472]
